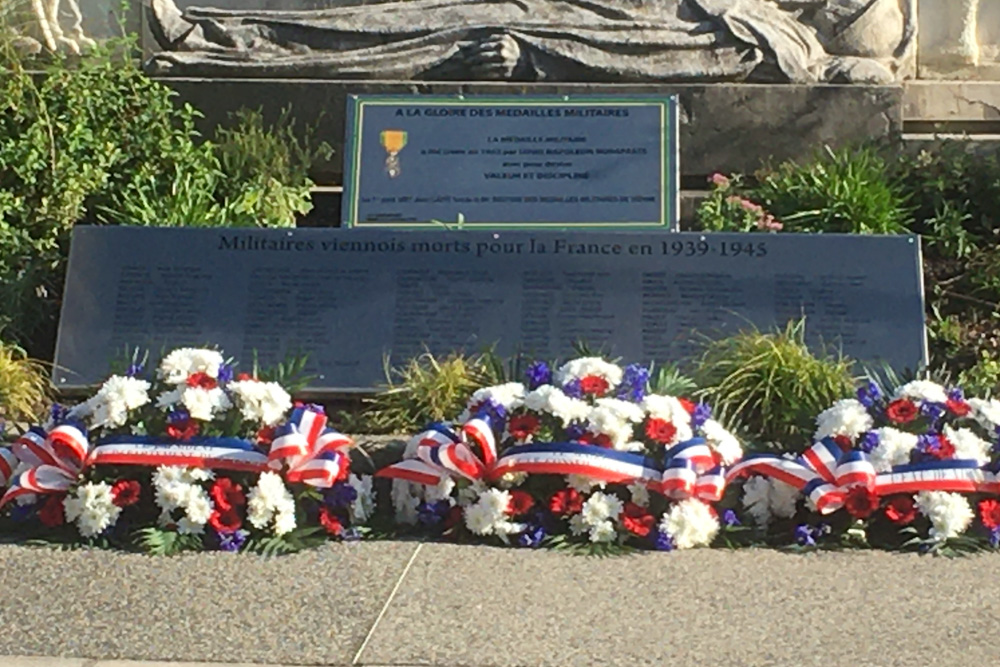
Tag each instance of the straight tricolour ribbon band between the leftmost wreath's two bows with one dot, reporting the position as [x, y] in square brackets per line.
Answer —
[198, 452]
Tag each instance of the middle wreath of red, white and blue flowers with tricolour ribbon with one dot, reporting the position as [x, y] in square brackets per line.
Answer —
[582, 455]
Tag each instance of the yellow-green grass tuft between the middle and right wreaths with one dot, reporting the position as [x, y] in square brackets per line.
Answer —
[771, 384]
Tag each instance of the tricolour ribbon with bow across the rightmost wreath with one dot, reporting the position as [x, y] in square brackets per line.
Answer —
[825, 473]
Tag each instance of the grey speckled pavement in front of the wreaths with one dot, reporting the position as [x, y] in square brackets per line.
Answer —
[399, 603]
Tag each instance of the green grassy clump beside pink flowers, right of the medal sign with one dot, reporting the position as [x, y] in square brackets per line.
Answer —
[848, 190]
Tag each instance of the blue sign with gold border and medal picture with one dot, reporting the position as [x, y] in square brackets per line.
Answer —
[514, 162]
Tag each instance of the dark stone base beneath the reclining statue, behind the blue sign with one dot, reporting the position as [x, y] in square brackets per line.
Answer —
[724, 127]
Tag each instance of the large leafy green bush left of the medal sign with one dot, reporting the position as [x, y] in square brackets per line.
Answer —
[94, 139]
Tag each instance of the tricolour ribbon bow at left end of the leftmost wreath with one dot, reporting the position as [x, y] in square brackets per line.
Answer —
[56, 459]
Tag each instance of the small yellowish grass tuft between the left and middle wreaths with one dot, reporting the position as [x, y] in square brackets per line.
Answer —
[425, 389]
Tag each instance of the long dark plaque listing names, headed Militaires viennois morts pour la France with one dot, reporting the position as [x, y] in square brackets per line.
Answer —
[350, 297]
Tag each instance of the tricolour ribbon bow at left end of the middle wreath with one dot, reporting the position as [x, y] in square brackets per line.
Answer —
[442, 452]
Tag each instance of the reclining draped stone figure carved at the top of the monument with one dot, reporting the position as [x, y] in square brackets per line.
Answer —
[869, 41]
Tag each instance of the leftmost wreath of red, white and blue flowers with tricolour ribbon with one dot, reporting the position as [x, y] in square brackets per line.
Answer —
[189, 455]
